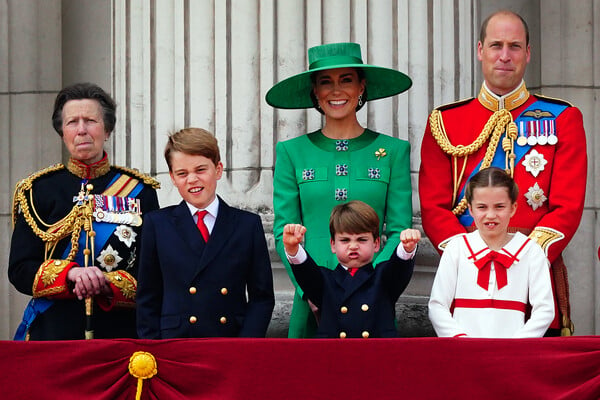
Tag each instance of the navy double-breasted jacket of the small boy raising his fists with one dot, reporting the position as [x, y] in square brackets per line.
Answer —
[356, 306]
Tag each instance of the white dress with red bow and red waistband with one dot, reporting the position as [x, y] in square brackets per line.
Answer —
[481, 293]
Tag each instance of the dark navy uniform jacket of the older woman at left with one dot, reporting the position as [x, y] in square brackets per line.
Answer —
[52, 194]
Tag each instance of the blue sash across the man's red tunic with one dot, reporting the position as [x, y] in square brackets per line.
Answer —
[553, 109]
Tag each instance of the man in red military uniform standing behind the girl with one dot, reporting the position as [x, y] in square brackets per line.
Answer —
[540, 141]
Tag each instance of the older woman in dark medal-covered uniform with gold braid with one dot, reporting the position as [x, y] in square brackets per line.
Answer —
[76, 229]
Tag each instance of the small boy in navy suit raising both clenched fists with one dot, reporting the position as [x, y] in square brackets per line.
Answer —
[355, 299]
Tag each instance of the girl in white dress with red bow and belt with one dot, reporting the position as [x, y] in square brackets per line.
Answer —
[488, 278]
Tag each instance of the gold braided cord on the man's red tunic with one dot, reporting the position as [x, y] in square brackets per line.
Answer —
[498, 122]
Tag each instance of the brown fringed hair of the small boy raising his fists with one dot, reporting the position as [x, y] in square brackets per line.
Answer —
[354, 217]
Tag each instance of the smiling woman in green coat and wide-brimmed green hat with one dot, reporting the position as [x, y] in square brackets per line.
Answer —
[342, 161]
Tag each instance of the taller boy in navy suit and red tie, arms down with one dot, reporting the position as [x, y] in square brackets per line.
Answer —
[204, 266]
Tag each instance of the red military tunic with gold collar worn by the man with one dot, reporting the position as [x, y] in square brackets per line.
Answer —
[551, 177]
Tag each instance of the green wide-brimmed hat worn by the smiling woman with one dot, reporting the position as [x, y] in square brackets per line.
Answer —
[294, 92]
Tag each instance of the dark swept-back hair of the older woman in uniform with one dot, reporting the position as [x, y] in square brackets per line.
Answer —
[82, 91]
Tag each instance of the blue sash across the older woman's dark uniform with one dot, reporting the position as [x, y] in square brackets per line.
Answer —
[103, 231]
